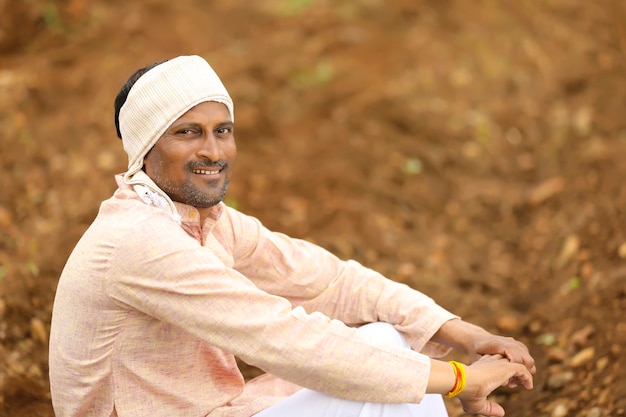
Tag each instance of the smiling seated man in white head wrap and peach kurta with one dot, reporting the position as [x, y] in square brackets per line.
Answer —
[169, 285]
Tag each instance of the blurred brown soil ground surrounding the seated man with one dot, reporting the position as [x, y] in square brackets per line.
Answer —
[474, 150]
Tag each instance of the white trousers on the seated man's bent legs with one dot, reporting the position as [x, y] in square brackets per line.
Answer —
[308, 403]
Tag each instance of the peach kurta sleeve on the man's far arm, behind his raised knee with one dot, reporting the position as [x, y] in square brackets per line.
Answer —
[315, 279]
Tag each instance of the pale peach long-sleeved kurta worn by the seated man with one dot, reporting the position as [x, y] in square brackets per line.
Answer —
[149, 316]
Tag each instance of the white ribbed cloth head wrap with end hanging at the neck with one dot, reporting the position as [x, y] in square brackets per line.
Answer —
[156, 100]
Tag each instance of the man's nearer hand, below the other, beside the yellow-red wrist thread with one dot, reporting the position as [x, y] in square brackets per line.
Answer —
[485, 375]
